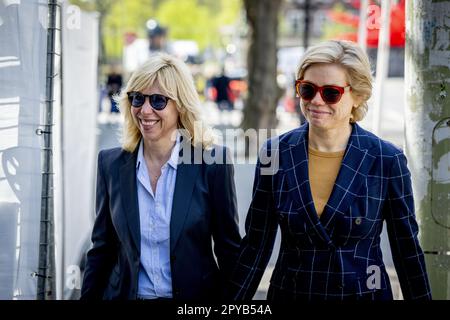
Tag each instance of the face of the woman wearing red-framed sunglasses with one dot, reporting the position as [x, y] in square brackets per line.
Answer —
[319, 114]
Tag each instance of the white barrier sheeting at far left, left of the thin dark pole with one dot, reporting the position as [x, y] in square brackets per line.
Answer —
[23, 41]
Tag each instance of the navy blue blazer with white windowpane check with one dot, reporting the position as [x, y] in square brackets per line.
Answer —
[337, 256]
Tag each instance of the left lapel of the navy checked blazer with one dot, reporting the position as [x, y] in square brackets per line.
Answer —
[295, 166]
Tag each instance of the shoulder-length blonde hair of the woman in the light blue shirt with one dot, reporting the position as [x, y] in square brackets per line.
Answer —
[176, 82]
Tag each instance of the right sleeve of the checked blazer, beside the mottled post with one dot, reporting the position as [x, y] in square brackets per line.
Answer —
[402, 230]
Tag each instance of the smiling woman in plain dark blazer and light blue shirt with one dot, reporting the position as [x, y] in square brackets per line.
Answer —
[160, 219]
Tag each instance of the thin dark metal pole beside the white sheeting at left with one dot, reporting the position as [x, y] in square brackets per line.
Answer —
[46, 272]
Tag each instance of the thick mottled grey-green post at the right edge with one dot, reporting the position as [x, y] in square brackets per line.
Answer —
[427, 132]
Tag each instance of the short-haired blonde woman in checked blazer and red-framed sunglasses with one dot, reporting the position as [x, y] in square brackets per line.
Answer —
[336, 256]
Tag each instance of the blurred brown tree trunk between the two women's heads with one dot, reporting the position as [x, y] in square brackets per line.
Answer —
[263, 91]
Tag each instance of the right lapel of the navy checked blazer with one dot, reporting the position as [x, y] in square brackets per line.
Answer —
[355, 165]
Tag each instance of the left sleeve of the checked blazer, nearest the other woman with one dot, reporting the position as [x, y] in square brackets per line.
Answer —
[256, 247]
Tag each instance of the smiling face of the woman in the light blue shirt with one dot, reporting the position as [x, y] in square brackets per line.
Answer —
[155, 125]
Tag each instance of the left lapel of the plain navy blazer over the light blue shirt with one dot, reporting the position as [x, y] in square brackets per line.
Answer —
[128, 193]
